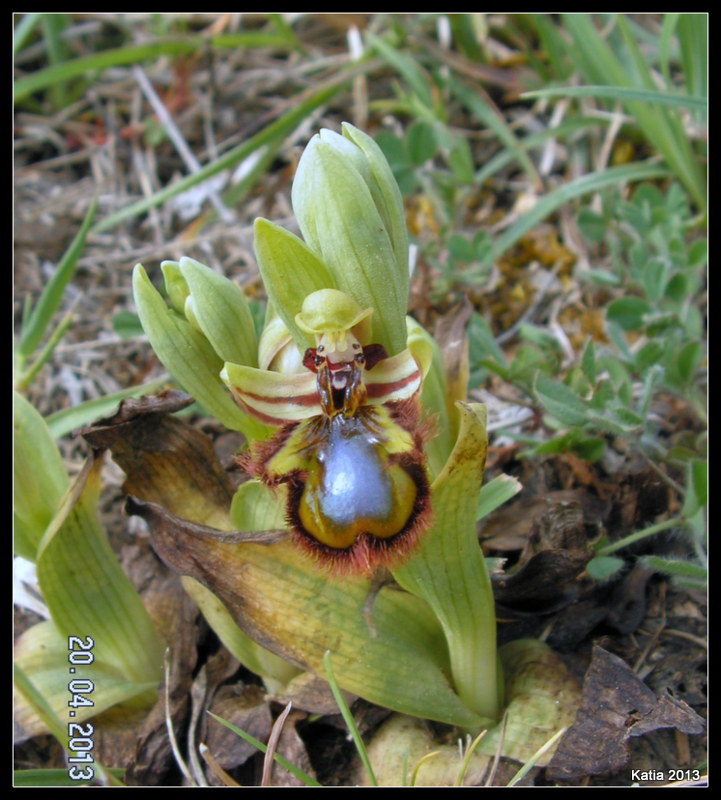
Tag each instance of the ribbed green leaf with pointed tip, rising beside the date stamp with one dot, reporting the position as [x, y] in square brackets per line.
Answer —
[86, 591]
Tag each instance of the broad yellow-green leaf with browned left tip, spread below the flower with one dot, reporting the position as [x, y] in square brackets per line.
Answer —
[283, 601]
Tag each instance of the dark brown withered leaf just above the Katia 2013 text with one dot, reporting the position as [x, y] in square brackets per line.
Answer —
[615, 705]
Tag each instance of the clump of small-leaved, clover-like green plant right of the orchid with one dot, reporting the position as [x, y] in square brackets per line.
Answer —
[653, 277]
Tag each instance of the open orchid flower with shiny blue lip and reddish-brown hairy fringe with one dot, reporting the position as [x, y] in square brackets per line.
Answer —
[350, 446]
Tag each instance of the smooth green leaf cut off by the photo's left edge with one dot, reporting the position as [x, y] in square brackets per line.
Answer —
[40, 479]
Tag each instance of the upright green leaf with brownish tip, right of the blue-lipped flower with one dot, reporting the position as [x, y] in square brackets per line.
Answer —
[460, 593]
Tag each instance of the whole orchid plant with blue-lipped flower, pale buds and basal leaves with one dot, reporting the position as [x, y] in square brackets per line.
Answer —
[429, 650]
